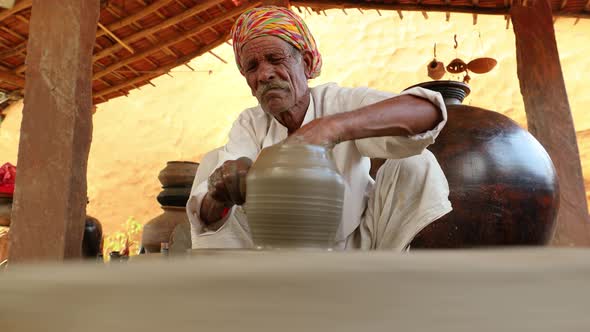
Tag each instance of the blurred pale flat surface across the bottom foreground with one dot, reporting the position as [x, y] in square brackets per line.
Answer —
[543, 290]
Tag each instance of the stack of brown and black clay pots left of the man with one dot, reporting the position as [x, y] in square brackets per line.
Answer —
[176, 179]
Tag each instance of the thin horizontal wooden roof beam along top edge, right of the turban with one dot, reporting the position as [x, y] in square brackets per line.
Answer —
[347, 4]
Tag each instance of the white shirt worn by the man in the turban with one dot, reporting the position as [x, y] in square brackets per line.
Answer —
[254, 130]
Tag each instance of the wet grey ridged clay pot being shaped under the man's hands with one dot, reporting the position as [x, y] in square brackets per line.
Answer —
[294, 197]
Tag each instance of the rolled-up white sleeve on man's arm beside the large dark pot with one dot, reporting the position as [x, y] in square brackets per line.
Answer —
[398, 147]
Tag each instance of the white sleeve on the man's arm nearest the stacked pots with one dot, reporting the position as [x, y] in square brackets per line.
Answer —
[232, 230]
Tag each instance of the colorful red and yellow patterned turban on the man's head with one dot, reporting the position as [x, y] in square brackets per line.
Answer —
[279, 22]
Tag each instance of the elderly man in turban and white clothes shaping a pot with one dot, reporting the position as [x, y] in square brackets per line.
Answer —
[277, 55]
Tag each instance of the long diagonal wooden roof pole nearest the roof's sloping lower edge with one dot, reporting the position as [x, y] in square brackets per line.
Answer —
[156, 48]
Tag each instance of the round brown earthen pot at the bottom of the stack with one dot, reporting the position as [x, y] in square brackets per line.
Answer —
[160, 228]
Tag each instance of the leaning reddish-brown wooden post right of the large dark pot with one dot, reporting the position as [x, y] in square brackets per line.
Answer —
[548, 114]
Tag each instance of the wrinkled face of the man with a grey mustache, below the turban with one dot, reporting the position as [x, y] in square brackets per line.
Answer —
[275, 73]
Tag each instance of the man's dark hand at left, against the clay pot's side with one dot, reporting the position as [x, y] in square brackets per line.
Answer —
[226, 187]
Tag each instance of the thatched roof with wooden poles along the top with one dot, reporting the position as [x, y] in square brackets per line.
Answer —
[138, 40]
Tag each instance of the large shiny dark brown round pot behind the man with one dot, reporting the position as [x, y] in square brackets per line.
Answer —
[503, 186]
